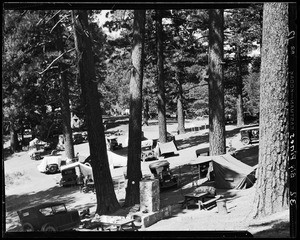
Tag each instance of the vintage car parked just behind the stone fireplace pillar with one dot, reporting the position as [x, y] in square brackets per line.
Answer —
[161, 170]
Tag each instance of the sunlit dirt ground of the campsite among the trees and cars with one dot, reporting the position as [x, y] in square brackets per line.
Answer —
[26, 186]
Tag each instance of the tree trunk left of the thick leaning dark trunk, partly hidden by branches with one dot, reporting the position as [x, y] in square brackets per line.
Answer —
[64, 95]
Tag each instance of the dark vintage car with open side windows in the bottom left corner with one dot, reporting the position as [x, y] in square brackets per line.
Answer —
[49, 217]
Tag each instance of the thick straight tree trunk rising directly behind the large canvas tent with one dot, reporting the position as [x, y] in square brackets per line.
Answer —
[216, 86]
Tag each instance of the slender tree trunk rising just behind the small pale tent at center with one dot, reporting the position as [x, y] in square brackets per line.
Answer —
[162, 123]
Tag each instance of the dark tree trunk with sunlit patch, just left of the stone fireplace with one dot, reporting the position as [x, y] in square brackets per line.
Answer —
[134, 173]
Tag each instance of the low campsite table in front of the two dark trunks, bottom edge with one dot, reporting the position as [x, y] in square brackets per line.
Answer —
[120, 225]
